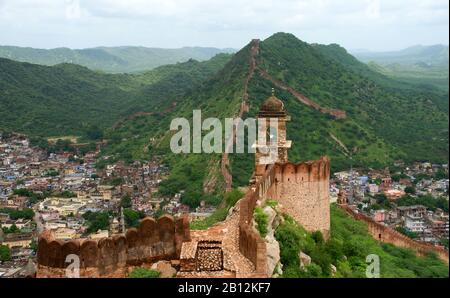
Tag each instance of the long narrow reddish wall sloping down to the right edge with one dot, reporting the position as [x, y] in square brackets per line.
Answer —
[385, 234]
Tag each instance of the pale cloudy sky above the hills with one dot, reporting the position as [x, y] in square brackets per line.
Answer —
[355, 24]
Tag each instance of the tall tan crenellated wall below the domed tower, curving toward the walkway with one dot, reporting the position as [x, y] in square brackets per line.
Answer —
[303, 193]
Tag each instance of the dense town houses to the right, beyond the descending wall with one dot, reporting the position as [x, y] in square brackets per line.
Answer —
[413, 199]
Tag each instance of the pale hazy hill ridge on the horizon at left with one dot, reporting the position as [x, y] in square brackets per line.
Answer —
[111, 59]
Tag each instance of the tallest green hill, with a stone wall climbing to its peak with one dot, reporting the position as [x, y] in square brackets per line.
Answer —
[386, 119]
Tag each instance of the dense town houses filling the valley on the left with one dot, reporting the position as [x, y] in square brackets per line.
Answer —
[64, 192]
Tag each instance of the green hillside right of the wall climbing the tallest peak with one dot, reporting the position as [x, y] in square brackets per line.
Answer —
[387, 119]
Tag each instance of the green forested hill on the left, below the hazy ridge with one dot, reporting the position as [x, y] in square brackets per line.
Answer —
[67, 98]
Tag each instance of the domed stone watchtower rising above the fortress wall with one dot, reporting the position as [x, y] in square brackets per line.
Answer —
[274, 147]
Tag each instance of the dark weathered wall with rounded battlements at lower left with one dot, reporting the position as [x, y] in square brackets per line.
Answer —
[109, 257]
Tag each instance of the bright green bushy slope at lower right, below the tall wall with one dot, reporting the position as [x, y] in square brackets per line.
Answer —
[347, 249]
